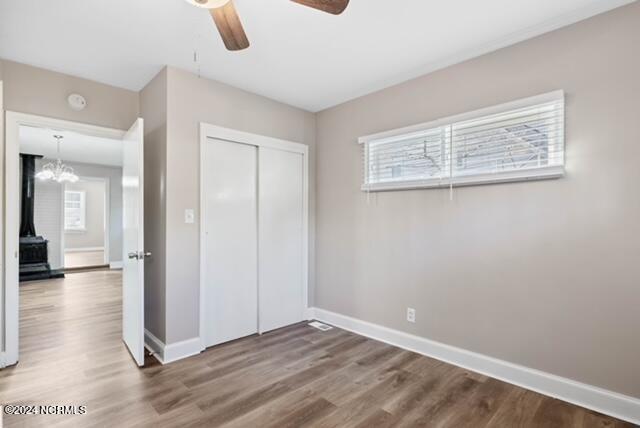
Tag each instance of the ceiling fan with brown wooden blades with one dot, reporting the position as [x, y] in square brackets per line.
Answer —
[226, 19]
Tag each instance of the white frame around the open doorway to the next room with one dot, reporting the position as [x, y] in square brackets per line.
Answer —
[11, 151]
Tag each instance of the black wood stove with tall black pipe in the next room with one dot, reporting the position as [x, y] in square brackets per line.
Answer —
[34, 254]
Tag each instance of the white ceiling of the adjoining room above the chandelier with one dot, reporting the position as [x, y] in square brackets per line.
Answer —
[74, 147]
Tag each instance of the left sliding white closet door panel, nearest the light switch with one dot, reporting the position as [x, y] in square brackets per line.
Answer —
[229, 191]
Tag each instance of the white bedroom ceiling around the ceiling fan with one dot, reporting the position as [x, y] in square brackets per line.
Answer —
[298, 55]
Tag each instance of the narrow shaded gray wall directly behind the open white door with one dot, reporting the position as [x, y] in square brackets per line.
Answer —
[153, 109]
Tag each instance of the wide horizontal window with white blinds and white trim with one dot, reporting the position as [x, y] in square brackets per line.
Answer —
[515, 141]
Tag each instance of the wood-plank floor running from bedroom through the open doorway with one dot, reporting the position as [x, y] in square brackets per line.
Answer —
[72, 354]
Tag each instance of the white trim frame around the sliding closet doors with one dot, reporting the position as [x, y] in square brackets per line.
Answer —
[208, 131]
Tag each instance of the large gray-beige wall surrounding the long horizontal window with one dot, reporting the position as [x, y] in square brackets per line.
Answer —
[543, 274]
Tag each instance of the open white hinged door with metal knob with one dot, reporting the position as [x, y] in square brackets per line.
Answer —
[133, 242]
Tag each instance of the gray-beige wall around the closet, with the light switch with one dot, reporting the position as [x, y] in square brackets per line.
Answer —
[192, 100]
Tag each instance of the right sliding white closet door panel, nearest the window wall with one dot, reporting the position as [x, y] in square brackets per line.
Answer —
[280, 226]
